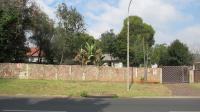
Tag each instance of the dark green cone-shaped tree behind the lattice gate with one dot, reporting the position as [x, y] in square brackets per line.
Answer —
[179, 54]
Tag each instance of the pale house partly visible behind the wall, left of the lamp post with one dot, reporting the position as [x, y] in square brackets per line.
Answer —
[112, 61]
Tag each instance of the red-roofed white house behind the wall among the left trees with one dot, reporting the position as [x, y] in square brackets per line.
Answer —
[33, 55]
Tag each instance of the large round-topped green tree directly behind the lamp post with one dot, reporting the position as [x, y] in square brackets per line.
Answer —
[141, 39]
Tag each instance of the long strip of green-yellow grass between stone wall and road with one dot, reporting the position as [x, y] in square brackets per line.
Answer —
[77, 88]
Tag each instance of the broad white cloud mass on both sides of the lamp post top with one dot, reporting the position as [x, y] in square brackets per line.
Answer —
[155, 12]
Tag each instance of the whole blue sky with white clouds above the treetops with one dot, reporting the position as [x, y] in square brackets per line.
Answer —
[171, 19]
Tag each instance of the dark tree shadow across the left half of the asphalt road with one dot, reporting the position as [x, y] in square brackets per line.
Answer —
[55, 104]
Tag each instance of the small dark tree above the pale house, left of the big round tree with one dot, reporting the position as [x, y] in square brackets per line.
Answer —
[108, 42]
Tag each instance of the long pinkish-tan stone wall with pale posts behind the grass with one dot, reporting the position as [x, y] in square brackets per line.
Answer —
[76, 72]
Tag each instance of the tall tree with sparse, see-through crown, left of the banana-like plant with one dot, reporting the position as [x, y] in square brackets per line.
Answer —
[71, 25]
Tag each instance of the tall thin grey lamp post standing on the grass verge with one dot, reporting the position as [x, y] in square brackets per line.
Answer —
[128, 74]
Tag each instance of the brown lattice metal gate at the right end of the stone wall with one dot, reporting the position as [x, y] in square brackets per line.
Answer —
[175, 74]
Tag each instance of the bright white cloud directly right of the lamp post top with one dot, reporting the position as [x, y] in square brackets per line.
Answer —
[156, 11]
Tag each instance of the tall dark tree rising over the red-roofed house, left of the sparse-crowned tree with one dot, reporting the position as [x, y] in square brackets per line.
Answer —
[42, 28]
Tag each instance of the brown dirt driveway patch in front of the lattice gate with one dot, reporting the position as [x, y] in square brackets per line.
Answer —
[183, 90]
